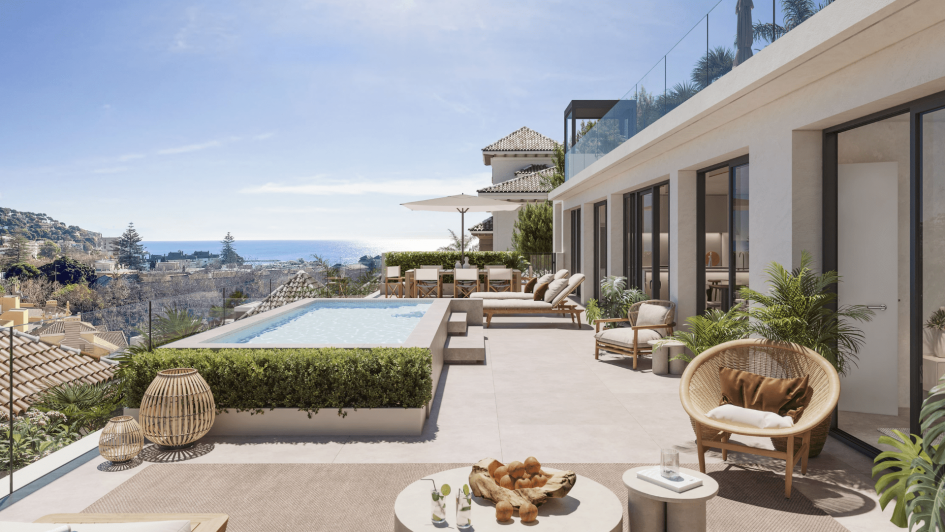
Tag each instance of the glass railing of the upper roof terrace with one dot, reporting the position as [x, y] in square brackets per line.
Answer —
[727, 36]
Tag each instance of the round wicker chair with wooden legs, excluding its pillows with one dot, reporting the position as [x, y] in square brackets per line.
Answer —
[700, 391]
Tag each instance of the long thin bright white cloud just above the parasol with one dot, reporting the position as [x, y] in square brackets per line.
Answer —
[397, 187]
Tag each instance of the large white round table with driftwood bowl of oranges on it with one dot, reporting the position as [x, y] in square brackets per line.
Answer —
[588, 507]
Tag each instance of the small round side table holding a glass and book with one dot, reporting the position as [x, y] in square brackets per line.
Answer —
[654, 508]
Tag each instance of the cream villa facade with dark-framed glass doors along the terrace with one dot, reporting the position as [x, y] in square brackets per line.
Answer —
[841, 122]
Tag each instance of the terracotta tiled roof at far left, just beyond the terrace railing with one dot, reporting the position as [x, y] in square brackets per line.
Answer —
[38, 366]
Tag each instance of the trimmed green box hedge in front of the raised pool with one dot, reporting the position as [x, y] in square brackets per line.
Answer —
[307, 379]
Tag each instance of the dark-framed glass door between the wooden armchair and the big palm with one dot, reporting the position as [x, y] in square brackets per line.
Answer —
[722, 223]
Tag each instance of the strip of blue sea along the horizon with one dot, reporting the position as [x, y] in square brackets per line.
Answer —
[334, 251]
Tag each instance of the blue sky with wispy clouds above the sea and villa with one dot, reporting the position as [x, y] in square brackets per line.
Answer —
[295, 119]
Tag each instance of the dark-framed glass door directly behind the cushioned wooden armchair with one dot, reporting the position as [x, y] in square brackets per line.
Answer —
[646, 240]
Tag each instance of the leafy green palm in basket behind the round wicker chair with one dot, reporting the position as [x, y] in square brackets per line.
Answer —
[800, 308]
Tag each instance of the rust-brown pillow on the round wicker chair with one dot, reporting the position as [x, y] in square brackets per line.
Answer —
[785, 397]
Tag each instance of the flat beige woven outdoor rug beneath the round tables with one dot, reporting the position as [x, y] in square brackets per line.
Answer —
[360, 497]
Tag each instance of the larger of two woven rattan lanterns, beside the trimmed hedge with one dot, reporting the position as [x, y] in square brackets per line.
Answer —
[177, 408]
